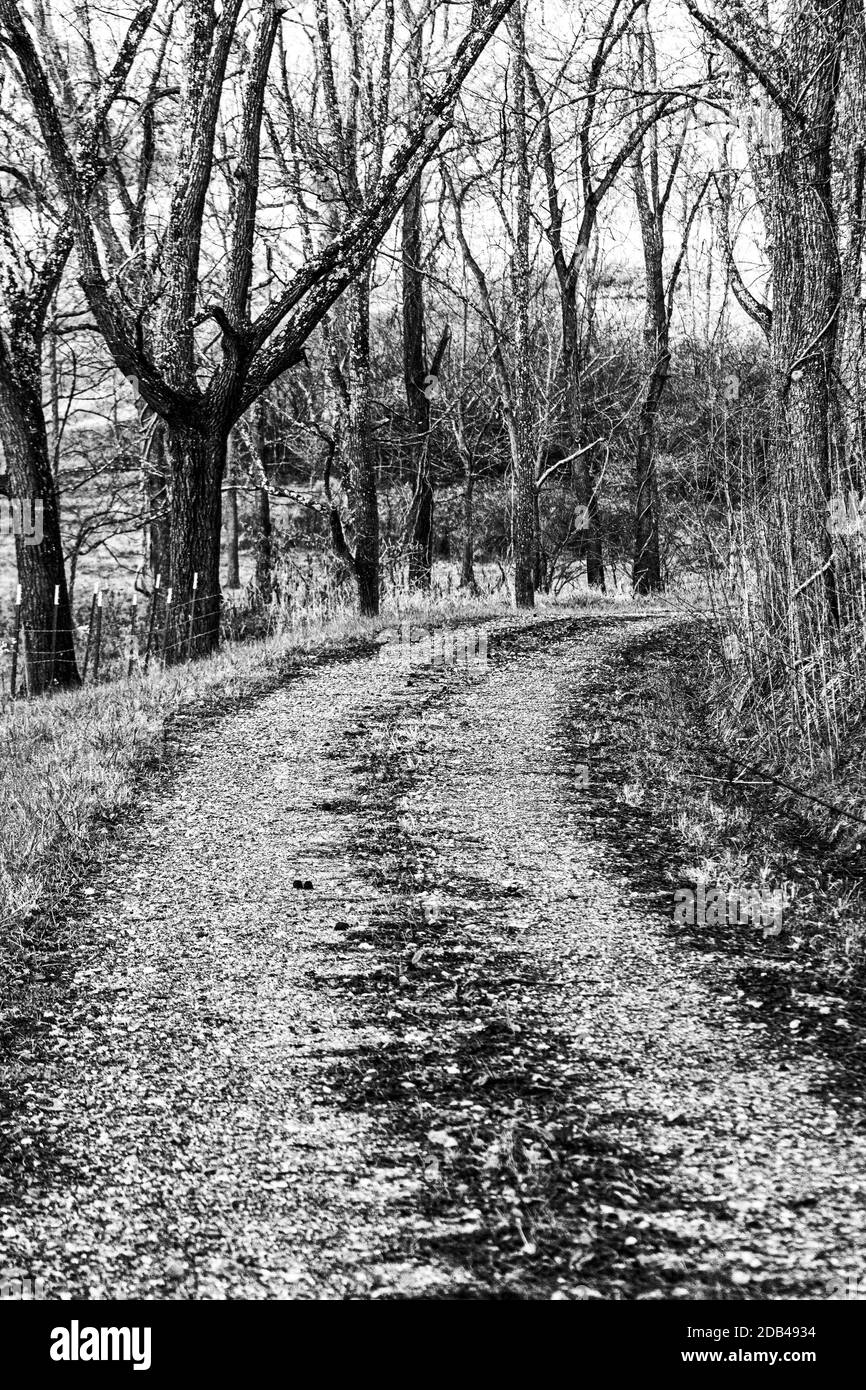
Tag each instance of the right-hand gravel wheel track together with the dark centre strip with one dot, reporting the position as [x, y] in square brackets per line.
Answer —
[591, 1117]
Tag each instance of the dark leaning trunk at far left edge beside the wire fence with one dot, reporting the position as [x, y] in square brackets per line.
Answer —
[41, 566]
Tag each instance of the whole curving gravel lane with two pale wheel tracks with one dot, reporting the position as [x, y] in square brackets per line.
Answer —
[471, 1061]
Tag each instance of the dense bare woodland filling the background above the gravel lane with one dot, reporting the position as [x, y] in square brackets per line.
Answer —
[575, 291]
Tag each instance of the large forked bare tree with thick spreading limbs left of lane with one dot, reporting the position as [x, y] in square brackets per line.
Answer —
[251, 352]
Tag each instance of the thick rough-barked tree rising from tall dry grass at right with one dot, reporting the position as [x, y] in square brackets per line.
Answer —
[786, 73]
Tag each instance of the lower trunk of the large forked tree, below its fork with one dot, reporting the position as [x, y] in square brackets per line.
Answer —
[197, 459]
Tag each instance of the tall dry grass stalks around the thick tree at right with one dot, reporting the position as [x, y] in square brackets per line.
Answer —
[789, 680]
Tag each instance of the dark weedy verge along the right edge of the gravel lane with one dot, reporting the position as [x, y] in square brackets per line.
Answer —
[687, 754]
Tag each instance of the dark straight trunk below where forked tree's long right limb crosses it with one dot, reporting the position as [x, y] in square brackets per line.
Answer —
[422, 508]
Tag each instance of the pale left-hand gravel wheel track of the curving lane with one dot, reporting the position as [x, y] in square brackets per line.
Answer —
[174, 1131]
